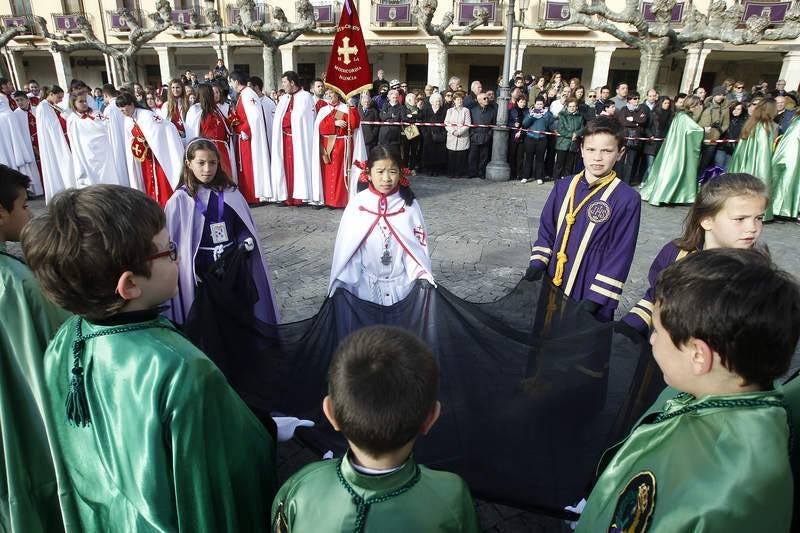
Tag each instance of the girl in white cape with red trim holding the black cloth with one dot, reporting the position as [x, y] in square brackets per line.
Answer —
[382, 245]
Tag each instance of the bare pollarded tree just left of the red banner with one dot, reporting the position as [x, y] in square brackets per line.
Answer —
[273, 34]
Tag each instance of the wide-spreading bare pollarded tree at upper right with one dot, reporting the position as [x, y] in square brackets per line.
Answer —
[655, 40]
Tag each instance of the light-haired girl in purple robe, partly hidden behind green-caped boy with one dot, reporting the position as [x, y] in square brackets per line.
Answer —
[728, 212]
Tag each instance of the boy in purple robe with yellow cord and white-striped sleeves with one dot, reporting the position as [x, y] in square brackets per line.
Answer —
[589, 225]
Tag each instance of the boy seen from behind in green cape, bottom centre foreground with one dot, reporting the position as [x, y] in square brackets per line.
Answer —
[382, 388]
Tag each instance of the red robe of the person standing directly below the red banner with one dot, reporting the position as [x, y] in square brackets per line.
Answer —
[333, 145]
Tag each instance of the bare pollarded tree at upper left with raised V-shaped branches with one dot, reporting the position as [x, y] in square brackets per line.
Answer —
[124, 58]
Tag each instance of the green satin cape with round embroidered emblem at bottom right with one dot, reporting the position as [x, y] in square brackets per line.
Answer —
[719, 463]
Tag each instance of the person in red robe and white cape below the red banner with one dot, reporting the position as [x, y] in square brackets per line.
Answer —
[335, 125]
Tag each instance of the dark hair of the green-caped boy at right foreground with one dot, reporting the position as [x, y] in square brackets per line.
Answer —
[740, 304]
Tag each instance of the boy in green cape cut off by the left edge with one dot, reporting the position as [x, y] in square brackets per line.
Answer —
[28, 492]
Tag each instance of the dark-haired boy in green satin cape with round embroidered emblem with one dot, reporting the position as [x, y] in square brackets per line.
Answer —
[712, 453]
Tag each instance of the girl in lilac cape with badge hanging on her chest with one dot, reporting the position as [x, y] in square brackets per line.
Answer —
[206, 216]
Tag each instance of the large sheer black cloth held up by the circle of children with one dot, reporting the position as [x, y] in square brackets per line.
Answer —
[533, 389]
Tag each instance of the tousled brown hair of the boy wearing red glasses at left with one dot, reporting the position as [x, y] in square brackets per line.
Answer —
[87, 240]
